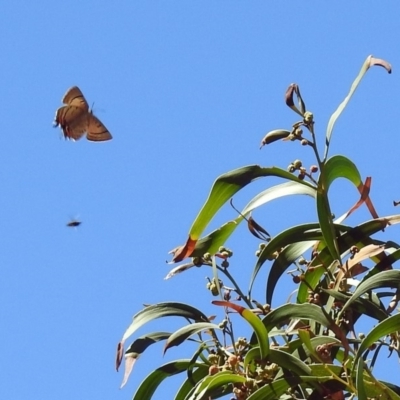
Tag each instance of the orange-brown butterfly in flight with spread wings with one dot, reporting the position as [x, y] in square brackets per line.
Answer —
[75, 118]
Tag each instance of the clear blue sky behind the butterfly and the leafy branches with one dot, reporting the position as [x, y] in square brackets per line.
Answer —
[188, 89]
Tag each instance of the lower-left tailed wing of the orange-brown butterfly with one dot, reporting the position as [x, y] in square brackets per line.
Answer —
[73, 120]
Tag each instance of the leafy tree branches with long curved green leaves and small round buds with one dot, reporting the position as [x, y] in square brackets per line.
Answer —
[308, 348]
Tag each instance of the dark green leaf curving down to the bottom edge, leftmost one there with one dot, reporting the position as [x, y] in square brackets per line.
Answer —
[150, 384]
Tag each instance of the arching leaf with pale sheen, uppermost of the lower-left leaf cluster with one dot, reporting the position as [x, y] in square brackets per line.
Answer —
[162, 310]
